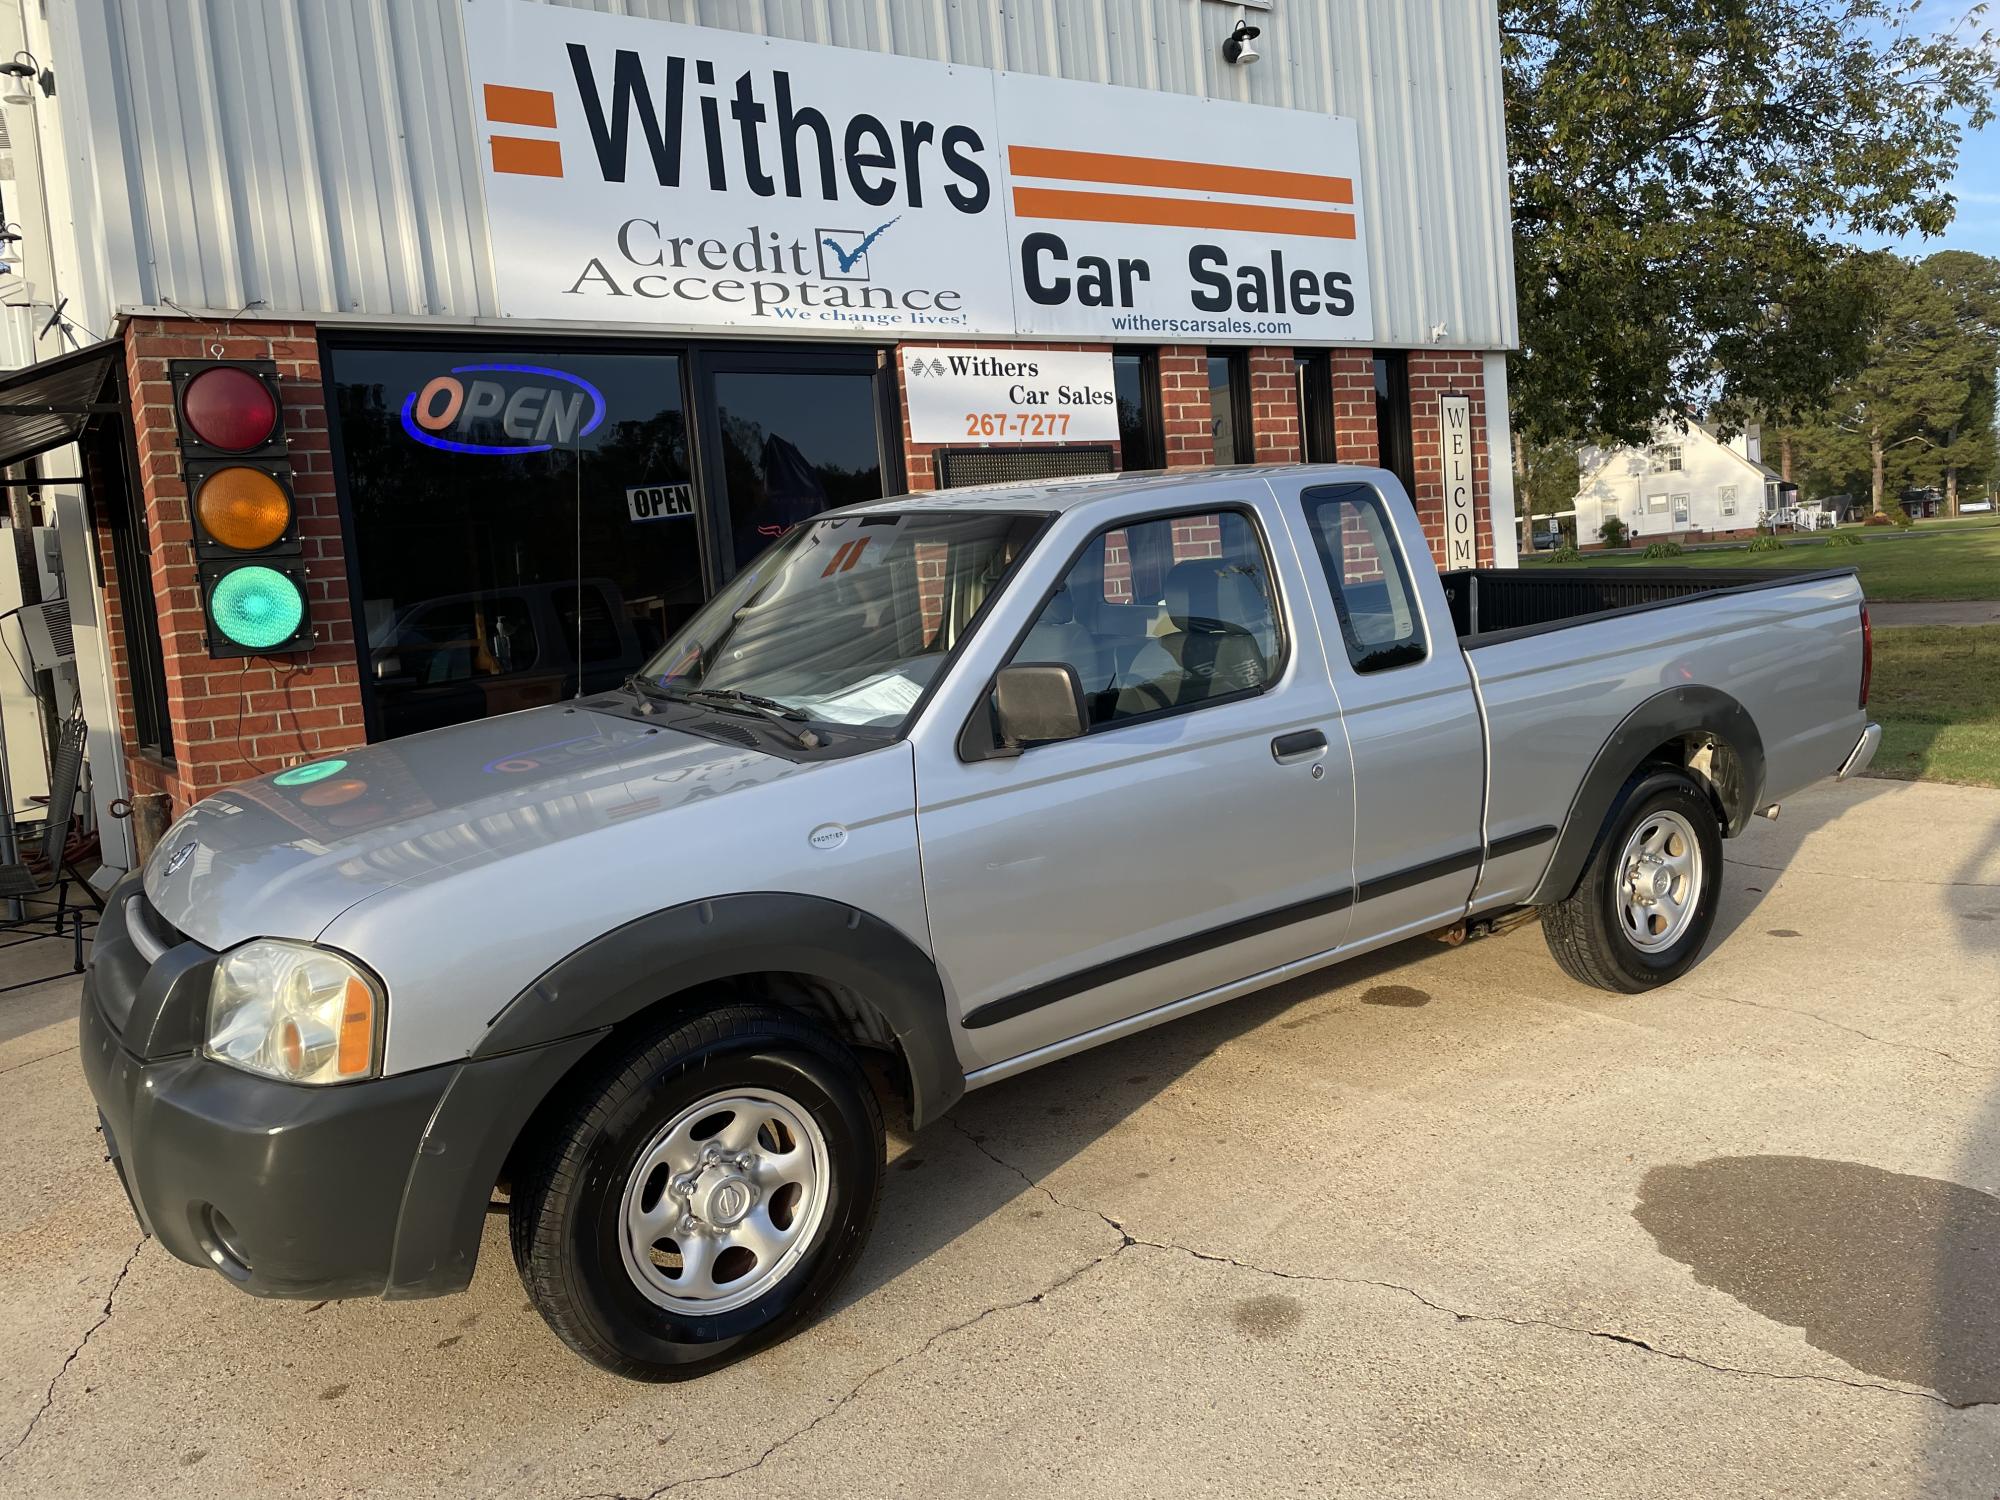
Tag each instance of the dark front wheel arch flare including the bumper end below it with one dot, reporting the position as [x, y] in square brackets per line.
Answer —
[543, 1033]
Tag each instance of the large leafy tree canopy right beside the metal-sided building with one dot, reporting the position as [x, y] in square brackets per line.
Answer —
[1681, 171]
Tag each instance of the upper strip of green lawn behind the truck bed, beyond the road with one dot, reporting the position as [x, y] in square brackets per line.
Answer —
[1933, 561]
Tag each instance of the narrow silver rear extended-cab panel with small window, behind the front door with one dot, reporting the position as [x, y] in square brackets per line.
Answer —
[1407, 705]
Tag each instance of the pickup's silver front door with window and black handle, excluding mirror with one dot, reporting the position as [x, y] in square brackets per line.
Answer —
[1201, 829]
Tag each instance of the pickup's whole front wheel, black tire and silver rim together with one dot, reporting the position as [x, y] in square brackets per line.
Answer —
[703, 1195]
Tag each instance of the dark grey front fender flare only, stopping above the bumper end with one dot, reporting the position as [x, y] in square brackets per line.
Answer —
[757, 933]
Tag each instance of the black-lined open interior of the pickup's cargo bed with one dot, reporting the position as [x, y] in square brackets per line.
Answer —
[1495, 605]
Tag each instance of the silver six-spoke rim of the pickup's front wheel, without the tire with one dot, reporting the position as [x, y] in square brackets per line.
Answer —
[725, 1201]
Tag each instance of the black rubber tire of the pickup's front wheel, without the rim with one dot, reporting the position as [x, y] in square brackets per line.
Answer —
[569, 1191]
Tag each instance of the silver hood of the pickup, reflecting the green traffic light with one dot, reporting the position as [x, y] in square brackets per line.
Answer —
[281, 857]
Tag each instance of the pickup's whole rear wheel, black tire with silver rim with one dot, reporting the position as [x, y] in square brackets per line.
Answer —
[1647, 901]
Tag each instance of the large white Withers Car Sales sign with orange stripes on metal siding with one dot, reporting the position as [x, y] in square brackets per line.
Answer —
[651, 173]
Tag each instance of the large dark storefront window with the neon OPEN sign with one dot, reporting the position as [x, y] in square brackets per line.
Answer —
[525, 523]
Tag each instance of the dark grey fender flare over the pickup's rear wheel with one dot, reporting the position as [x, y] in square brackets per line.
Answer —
[1609, 783]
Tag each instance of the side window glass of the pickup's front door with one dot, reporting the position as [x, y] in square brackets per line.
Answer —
[1165, 613]
